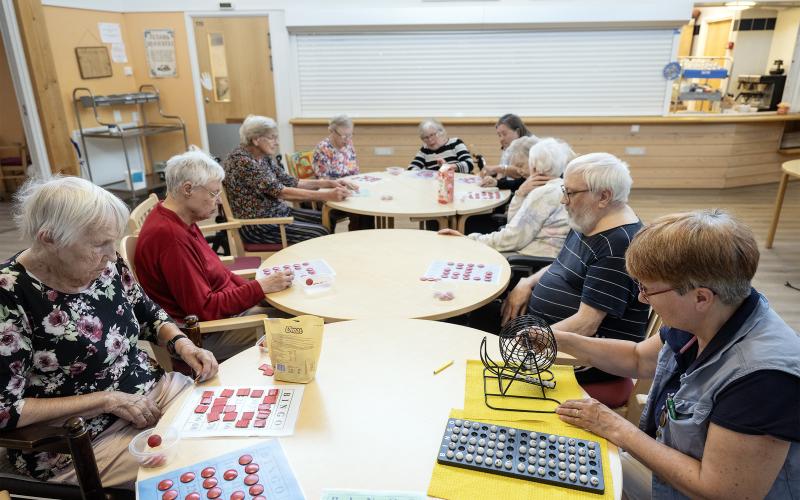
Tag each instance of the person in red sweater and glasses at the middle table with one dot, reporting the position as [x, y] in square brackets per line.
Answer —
[178, 269]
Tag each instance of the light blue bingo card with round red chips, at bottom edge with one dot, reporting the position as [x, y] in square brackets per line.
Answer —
[258, 472]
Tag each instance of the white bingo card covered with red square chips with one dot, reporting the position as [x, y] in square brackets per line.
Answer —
[240, 411]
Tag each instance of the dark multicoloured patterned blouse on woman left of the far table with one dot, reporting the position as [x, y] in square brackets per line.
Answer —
[253, 186]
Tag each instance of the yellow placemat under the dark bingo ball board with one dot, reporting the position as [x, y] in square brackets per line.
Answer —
[455, 483]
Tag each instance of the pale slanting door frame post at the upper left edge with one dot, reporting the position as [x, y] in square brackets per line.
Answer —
[23, 89]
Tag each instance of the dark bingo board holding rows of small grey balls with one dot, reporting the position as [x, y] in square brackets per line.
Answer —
[535, 456]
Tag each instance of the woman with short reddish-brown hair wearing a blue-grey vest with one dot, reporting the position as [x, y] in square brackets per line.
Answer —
[722, 419]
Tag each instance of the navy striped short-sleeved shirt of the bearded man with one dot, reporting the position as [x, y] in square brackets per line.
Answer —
[591, 269]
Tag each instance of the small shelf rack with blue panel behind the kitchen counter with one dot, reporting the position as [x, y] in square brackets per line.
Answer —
[702, 68]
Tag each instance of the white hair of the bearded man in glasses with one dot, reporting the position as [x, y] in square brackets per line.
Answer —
[603, 171]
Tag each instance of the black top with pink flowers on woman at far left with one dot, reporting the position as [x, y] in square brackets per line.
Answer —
[54, 344]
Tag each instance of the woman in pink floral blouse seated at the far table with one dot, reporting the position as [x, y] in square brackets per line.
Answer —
[335, 156]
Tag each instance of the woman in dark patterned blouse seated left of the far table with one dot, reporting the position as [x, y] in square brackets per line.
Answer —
[257, 186]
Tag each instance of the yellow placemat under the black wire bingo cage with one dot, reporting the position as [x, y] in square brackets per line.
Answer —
[475, 408]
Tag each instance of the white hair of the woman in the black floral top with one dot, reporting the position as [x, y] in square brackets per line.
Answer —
[66, 209]
